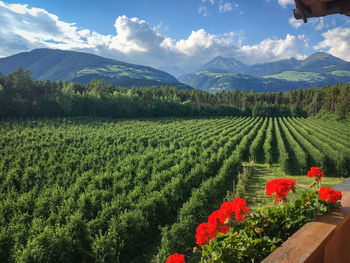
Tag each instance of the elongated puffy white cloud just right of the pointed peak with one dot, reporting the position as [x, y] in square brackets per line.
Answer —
[274, 49]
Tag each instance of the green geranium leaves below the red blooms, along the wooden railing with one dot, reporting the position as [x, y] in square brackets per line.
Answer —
[264, 231]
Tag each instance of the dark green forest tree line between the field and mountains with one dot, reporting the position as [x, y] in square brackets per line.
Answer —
[21, 96]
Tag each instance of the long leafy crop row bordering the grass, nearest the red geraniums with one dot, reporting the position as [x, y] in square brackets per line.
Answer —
[206, 198]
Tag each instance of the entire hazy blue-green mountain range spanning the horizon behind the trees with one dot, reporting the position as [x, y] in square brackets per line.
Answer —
[220, 74]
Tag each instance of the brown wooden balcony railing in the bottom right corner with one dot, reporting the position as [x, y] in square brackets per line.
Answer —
[325, 240]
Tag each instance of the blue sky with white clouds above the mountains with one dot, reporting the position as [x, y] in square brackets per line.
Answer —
[175, 35]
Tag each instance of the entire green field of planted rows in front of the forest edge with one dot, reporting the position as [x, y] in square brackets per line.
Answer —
[128, 190]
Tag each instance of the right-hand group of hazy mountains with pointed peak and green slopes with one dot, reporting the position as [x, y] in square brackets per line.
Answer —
[225, 74]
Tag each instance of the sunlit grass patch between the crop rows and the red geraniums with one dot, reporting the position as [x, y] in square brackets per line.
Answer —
[256, 195]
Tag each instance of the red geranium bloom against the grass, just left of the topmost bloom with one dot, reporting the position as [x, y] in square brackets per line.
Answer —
[280, 187]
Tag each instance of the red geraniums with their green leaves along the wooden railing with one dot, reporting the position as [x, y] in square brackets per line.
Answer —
[245, 235]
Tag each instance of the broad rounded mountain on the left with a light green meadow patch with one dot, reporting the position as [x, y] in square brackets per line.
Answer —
[55, 65]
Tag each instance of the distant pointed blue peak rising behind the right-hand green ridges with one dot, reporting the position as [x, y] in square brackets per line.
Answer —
[221, 64]
